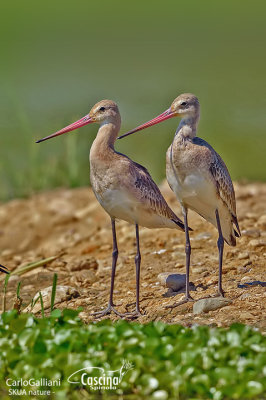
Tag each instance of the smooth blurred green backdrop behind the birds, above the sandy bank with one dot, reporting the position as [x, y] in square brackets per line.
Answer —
[59, 57]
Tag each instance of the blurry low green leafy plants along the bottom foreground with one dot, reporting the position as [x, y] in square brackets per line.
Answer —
[168, 361]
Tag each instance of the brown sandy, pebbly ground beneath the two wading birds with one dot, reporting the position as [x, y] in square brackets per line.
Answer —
[71, 224]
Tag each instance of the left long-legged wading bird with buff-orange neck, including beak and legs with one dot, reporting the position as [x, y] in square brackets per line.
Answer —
[124, 188]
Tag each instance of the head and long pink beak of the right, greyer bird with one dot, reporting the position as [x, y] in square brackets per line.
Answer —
[185, 106]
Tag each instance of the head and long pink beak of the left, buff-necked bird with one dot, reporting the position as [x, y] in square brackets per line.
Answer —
[106, 111]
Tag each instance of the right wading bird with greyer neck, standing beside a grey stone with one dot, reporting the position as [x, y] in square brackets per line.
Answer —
[199, 178]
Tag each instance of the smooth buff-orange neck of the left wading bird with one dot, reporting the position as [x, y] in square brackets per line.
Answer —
[105, 139]
